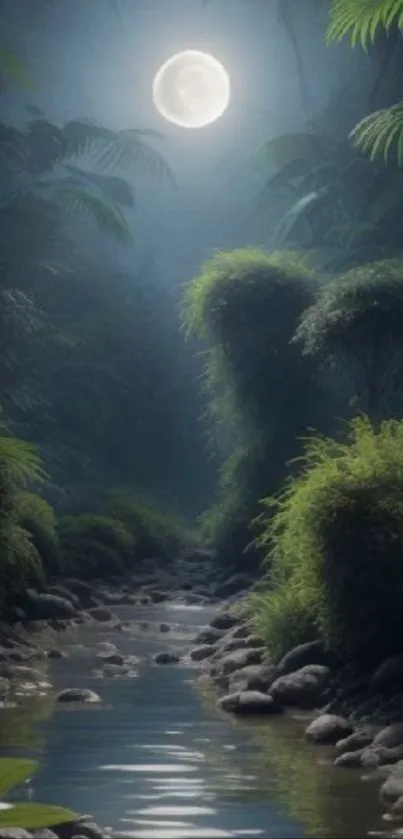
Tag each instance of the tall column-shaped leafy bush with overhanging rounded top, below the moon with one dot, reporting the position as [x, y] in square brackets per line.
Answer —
[263, 395]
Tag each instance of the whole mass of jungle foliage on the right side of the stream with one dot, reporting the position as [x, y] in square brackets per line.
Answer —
[304, 364]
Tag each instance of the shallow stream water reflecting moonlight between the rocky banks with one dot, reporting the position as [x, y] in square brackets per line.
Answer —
[158, 760]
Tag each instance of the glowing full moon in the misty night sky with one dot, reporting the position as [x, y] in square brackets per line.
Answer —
[191, 89]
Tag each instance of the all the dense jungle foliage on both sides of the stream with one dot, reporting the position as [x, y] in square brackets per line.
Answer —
[302, 360]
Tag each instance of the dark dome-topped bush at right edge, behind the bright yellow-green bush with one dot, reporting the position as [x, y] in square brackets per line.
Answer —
[355, 326]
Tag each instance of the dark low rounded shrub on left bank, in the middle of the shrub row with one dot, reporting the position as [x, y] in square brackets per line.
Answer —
[95, 546]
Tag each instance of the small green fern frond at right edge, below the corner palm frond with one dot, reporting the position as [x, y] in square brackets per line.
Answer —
[379, 132]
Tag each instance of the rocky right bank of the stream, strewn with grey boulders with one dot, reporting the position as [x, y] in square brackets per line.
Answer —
[359, 715]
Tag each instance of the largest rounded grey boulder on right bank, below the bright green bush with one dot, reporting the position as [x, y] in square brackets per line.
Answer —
[304, 688]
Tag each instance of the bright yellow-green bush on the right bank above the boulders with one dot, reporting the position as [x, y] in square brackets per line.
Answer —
[333, 540]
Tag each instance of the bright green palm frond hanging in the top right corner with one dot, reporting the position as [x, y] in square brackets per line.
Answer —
[362, 19]
